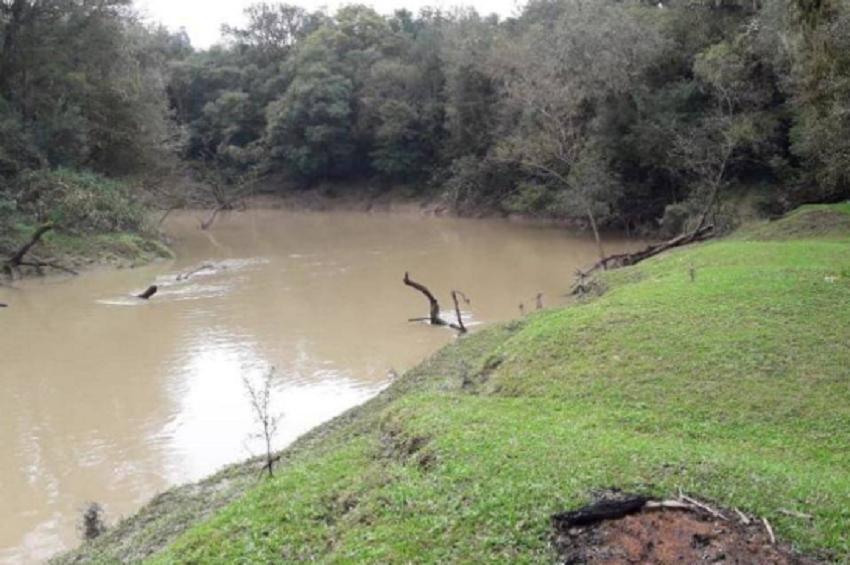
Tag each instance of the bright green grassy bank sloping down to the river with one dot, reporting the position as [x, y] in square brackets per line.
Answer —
[720, 370]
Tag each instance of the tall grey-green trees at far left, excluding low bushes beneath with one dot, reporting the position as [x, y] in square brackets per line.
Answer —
[81, 85]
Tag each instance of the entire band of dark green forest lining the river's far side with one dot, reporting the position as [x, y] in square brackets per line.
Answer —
[617, 114]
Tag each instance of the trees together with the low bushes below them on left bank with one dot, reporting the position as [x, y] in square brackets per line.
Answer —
[83, 101]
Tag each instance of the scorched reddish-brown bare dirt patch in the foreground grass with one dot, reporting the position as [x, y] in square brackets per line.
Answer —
[668, 537]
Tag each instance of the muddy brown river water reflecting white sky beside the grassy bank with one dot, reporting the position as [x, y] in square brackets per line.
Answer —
[111, 399]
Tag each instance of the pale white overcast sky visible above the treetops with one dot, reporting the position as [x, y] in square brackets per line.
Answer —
[203, 18]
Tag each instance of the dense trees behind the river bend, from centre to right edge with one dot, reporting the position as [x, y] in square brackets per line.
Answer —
[615, 111]
